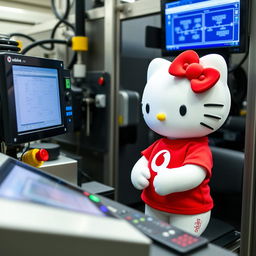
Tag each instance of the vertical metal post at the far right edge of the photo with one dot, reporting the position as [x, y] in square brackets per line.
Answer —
[248, 229]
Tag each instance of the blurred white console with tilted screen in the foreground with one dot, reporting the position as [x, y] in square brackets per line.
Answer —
[43, 215]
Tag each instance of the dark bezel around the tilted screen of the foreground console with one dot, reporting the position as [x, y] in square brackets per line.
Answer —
[8, 165]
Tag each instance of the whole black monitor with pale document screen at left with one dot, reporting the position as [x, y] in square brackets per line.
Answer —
[35, 98]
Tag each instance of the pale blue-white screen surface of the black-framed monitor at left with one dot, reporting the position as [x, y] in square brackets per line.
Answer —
[37, 99]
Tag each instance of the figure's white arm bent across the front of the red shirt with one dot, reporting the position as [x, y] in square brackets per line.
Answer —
[178, 179]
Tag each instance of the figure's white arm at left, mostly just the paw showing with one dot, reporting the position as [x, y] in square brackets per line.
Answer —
[140, 174]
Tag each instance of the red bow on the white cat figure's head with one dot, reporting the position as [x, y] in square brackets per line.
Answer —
[187, 65]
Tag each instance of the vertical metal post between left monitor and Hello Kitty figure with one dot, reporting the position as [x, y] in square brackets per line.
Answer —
[111, 65]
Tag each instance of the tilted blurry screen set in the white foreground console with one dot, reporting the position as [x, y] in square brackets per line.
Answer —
[20, 182]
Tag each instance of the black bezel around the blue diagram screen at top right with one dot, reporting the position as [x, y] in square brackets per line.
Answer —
[244, 34]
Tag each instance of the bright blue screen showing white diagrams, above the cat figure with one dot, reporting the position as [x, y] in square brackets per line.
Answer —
[202, 24]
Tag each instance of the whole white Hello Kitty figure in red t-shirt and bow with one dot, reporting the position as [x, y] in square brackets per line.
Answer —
[183, 101]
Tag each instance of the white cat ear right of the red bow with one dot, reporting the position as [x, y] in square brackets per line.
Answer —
[218, 62]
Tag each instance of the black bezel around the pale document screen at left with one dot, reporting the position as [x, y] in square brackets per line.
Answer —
[10, 135]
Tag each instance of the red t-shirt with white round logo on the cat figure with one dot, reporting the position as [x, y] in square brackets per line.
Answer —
[179, 153]
